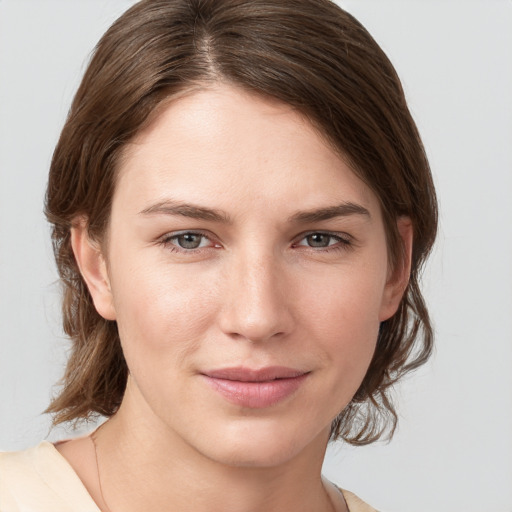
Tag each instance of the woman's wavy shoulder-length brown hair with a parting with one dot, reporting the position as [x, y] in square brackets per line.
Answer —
[309, 54]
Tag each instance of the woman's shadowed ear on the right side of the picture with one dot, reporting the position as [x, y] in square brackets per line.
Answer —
[398, 277]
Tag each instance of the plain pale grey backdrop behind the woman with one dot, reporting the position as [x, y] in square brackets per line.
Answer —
[453, 449]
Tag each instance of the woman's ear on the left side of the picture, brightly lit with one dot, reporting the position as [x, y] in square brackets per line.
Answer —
[93, 268]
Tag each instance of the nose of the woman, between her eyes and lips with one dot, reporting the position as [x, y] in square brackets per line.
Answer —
[256, 304]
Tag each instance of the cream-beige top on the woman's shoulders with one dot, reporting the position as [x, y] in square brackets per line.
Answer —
[41, 480]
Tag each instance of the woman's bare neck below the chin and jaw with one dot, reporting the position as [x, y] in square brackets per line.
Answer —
[162, 472]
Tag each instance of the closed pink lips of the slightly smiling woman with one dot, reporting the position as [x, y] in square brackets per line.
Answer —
[255, 388]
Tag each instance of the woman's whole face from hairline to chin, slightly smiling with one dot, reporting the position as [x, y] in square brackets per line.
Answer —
[248, 275]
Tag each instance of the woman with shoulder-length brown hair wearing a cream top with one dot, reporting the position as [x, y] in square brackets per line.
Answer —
[240, 205]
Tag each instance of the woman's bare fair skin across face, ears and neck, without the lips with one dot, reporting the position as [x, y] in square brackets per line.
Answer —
[267, 285]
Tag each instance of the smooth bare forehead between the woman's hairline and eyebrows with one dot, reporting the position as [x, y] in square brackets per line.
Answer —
[221, 143]
